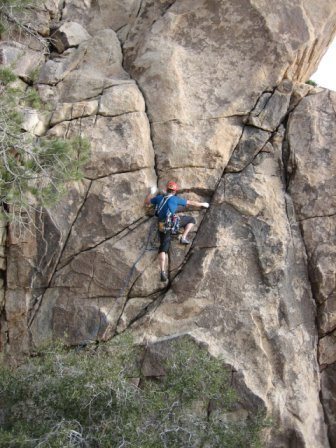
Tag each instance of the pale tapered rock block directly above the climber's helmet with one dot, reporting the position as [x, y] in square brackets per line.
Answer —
[194, 155]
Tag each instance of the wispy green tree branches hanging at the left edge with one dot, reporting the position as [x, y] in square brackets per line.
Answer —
[33, 170]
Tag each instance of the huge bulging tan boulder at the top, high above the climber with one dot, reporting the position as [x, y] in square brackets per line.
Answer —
[173, 42]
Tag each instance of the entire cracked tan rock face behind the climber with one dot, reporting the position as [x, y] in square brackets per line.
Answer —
[206, 93]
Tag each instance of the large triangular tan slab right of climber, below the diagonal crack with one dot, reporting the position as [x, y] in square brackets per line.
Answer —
[238, 281]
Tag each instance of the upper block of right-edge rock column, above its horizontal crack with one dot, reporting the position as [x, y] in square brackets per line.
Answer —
[312, 171]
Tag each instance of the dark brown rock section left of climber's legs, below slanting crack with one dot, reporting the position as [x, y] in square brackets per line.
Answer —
[93, 285]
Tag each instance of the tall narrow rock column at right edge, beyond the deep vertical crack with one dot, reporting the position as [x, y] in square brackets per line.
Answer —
[312, 185]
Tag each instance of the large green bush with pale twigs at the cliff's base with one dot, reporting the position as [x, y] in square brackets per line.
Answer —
[87, 398]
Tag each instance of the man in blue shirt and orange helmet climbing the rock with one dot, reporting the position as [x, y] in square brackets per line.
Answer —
[168, 222]
